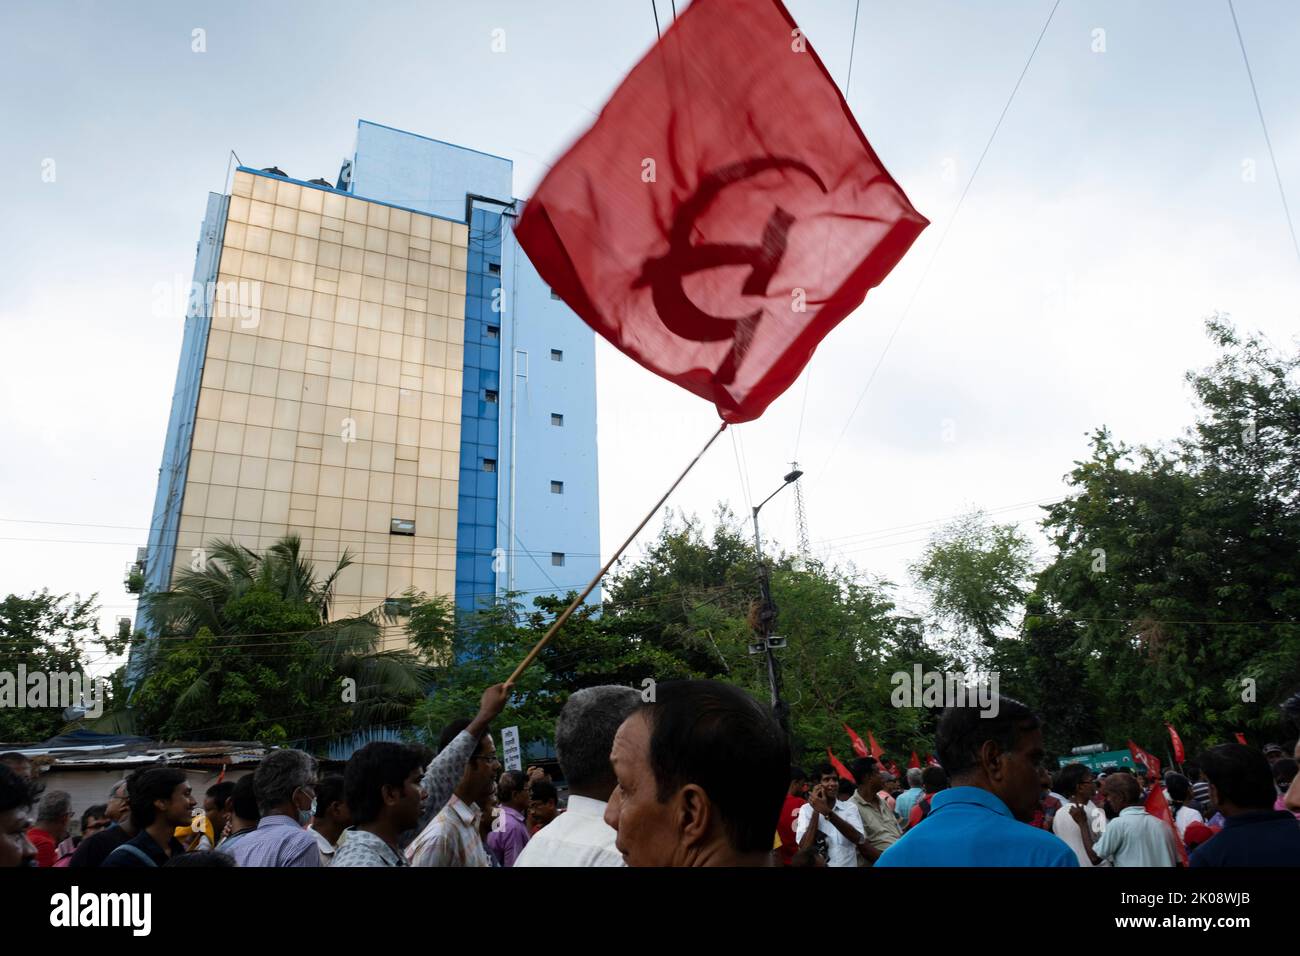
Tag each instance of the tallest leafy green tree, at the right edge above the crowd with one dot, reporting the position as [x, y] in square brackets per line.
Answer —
[1180, 565]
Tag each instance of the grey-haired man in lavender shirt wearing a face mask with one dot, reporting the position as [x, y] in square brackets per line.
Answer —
[285, 786]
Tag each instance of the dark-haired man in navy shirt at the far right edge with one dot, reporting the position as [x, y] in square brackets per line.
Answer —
[1254, 833]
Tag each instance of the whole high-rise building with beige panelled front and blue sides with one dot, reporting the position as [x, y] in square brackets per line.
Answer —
[378, 367]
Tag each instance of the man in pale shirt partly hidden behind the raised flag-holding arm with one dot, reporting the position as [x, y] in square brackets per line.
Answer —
[453, 837]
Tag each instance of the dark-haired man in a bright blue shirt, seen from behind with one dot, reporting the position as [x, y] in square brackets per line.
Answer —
[983, 819]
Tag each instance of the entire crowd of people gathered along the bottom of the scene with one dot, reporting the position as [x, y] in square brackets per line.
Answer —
[701, 777]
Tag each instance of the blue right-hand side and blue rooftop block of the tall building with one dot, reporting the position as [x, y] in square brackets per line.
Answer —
[530, 505]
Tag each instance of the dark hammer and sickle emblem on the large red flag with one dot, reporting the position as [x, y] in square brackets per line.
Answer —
[665, 274]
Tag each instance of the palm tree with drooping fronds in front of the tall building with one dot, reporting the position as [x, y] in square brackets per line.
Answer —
[326, 674]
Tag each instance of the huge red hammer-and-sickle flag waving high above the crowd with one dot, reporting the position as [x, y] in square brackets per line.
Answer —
[725, 213]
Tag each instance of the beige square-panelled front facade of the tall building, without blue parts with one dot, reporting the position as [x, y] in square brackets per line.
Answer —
[332, 390]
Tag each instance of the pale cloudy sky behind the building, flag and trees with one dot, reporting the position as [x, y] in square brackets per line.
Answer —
[1128, 194]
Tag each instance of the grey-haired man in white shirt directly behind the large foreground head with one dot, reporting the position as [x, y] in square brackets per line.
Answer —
[584, 736]
